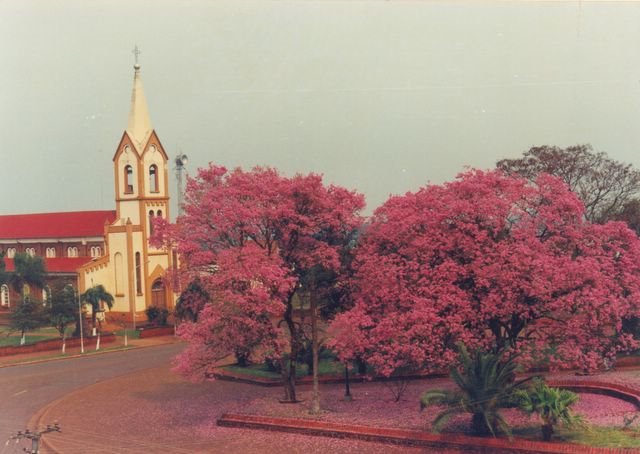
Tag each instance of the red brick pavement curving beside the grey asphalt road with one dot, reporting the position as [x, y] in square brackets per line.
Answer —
[157, 411]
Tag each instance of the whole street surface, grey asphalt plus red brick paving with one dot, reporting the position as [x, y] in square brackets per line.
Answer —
[130, 403]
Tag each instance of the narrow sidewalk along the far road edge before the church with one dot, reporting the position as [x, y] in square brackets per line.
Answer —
[89, 349]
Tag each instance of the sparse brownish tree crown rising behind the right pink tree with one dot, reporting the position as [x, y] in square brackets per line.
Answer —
[603, 184]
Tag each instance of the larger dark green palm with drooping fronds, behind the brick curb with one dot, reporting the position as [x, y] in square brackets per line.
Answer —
[485, 385]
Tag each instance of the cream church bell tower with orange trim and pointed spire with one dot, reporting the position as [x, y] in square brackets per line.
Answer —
[136, 270]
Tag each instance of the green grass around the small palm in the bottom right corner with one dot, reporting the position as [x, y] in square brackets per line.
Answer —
[600, 437]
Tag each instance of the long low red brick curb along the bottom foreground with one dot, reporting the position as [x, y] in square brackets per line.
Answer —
[408, 437]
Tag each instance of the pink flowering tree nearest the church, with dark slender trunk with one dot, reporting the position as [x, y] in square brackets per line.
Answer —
[253, 241]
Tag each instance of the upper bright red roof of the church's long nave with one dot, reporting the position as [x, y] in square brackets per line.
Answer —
[55, 225]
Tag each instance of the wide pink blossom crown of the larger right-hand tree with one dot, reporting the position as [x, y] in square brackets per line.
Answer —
[496, 263]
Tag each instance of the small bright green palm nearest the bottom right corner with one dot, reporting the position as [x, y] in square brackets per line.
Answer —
[552, 406]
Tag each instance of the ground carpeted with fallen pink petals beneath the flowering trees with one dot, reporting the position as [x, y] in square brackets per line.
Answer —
[373, 406]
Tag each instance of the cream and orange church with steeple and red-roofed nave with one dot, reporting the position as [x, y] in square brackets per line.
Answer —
[111, 248]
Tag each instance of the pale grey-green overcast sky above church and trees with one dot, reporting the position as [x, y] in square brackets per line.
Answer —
[379, 96]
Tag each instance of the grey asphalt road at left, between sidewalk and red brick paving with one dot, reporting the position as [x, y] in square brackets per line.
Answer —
[26, 389]
